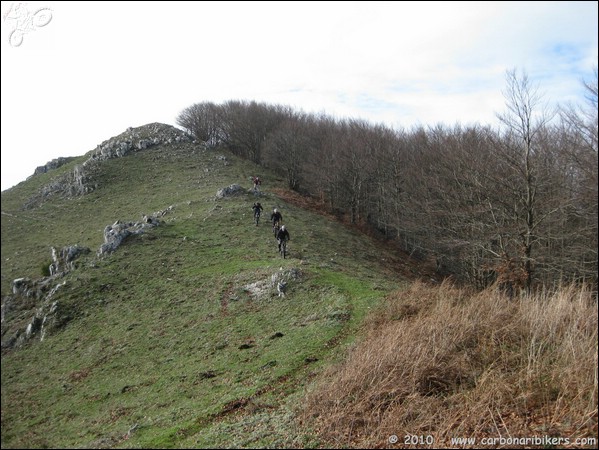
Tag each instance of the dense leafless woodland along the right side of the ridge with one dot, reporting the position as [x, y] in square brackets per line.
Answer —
[514, 205]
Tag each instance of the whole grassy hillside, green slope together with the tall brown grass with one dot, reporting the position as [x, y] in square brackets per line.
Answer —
[179, 339]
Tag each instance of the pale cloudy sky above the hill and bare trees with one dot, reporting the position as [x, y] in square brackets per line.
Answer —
[75, 74]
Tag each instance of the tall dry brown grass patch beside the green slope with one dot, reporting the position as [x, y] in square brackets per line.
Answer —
[448, 363]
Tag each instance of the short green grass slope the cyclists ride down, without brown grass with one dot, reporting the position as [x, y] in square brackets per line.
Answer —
[178, 339]
